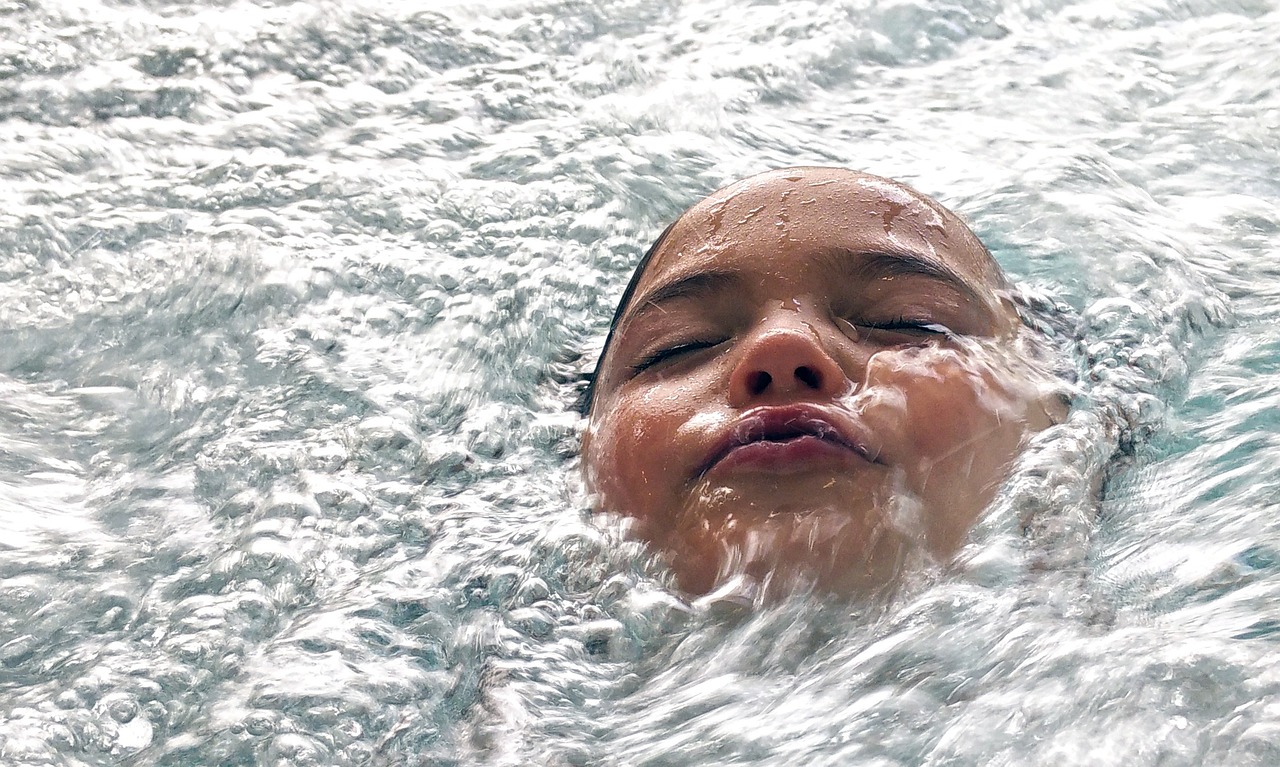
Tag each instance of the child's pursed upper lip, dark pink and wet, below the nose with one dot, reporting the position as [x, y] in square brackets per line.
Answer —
[783, 424]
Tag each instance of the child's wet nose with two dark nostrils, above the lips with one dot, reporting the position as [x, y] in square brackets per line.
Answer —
[785, 363]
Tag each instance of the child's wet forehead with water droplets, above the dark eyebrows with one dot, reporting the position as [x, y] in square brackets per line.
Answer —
[816, 211]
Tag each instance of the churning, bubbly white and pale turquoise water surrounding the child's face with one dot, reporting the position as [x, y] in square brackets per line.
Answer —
[292, 304]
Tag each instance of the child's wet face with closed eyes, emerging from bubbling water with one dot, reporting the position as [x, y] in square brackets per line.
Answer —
[816, 378]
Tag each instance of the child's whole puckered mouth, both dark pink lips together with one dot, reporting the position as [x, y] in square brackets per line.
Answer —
[790, 439]
